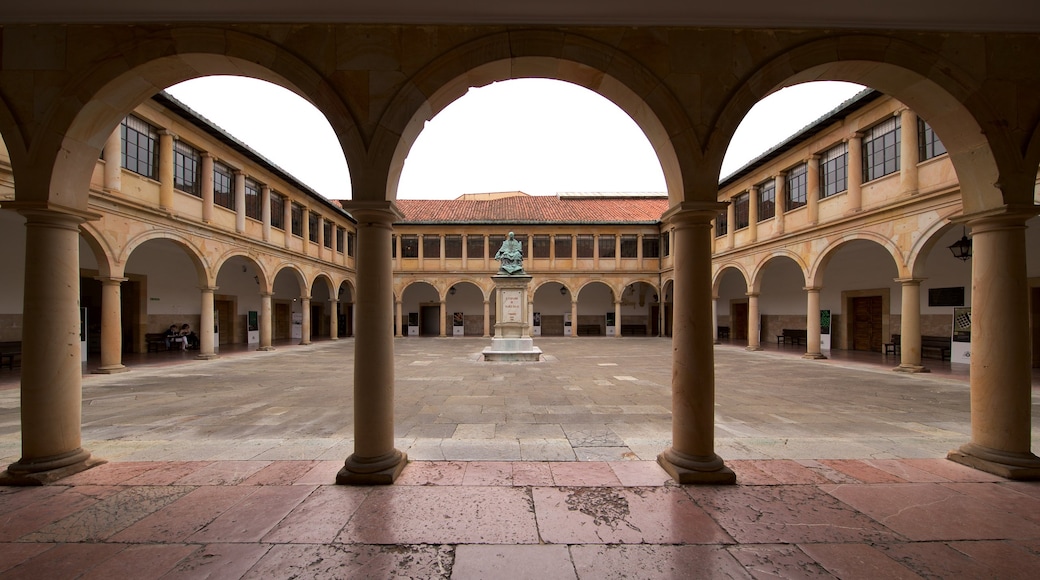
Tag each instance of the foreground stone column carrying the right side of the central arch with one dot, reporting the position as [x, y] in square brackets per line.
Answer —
[692, 458]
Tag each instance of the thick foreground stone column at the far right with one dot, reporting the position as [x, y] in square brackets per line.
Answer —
[1001, 359]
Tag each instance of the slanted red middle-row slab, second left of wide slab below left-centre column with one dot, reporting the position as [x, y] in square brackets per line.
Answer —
[253, 518]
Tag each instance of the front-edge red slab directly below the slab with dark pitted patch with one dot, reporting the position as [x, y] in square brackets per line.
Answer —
[656, 562]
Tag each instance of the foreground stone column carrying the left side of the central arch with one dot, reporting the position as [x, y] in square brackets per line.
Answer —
[375, 459]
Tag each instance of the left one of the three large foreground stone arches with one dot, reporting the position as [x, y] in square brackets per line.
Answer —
[134, 73]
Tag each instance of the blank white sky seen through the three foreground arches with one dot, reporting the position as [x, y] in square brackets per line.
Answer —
[534, 136]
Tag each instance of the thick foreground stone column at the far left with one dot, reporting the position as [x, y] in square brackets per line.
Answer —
[51, 398]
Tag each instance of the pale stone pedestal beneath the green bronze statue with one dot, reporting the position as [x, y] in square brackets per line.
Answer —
[512, 341]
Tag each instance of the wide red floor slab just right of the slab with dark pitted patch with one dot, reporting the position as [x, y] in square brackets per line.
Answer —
[787, 515]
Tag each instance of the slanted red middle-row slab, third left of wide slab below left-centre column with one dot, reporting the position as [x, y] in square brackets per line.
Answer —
[187, 516]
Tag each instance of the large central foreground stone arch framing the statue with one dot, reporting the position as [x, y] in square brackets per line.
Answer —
[565, 57]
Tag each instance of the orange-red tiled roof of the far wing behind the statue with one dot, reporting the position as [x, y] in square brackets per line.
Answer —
[536, 209]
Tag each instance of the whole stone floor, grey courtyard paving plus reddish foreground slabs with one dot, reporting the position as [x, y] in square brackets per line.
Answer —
[224, 469]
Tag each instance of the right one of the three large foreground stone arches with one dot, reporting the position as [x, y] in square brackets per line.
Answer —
[979, 144]
